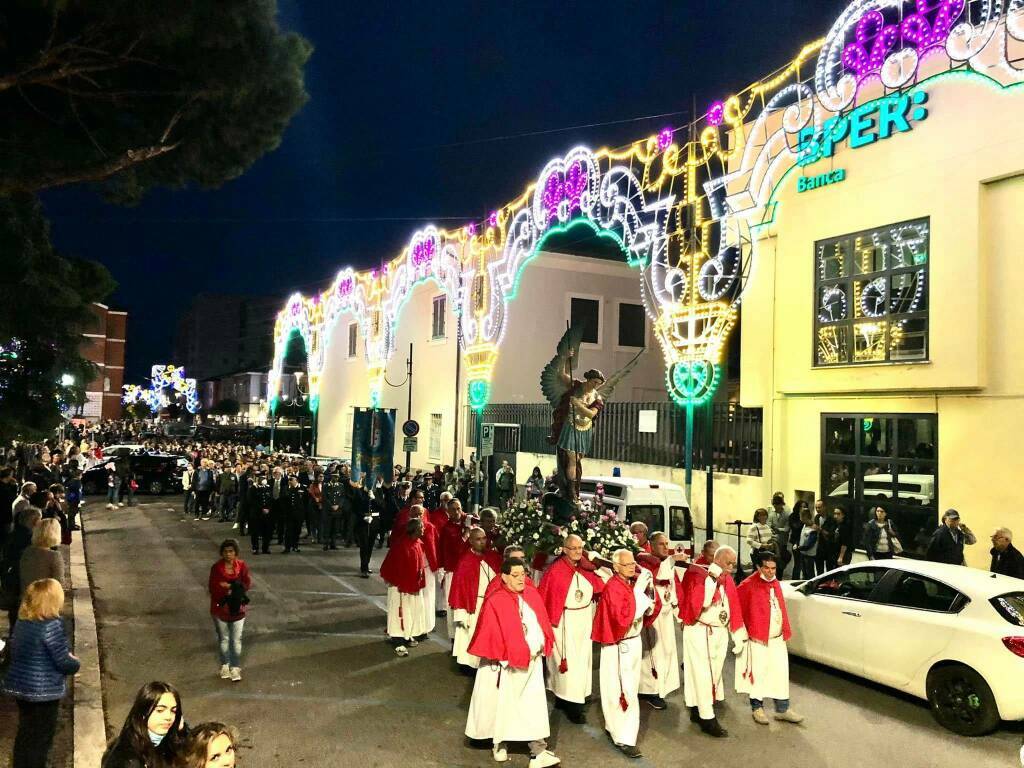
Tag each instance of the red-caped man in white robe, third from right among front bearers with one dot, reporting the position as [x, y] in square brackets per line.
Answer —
[660, 669]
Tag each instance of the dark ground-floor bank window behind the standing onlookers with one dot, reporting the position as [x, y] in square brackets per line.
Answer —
[883, 460]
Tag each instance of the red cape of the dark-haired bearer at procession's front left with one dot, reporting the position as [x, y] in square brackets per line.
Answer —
[500, 635]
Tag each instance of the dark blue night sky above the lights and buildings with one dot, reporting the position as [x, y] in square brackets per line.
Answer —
[403, 98]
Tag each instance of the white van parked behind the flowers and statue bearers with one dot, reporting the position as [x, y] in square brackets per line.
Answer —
[662, 506]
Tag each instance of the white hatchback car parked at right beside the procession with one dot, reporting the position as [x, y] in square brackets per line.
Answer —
[949, 634]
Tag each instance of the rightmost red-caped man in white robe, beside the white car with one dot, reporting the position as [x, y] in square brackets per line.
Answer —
[763, 667]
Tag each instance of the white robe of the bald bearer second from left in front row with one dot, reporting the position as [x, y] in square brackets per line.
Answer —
[573, 643]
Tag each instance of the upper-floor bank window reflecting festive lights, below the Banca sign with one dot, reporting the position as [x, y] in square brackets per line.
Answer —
[872, 296]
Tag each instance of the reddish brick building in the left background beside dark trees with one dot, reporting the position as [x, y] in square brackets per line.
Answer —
[105, 346]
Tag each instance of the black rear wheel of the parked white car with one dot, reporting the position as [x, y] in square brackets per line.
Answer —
[961, 701]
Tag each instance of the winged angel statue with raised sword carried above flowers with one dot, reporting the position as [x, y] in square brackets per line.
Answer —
[576, 405]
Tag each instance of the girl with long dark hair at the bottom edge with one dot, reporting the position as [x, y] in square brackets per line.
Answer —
[154, 735]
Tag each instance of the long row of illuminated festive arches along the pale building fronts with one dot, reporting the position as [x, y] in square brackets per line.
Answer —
[684, 205]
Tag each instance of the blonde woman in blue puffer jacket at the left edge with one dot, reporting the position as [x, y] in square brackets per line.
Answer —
[40, 662]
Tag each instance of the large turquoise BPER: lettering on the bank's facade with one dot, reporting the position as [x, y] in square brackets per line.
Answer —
[869, 123]
